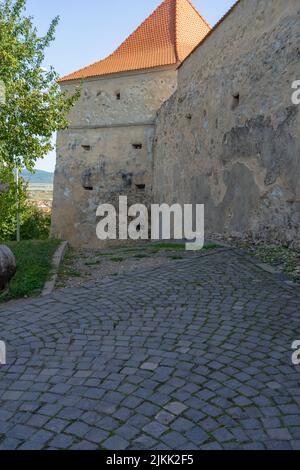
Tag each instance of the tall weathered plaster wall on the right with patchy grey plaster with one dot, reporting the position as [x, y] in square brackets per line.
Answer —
[230, 136]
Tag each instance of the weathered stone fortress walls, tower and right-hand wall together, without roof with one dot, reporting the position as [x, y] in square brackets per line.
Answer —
[221, 131]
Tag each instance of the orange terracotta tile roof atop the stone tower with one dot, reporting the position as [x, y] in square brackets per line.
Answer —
[167, 37]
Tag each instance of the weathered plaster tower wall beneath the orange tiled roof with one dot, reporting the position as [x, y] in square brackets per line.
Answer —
[96, 157]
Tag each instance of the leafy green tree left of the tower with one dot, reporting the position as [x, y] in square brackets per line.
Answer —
[34, 106]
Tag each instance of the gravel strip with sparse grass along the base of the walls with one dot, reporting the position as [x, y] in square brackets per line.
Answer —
[81, 266]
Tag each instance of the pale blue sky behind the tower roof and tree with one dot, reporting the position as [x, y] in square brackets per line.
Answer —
[89, 30]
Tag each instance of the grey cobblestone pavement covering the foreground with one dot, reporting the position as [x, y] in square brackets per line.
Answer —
[196, 355]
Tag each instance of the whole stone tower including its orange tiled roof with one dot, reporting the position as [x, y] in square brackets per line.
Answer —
[107, 151]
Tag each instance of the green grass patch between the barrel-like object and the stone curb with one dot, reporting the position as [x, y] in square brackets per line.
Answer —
[34, 263]
